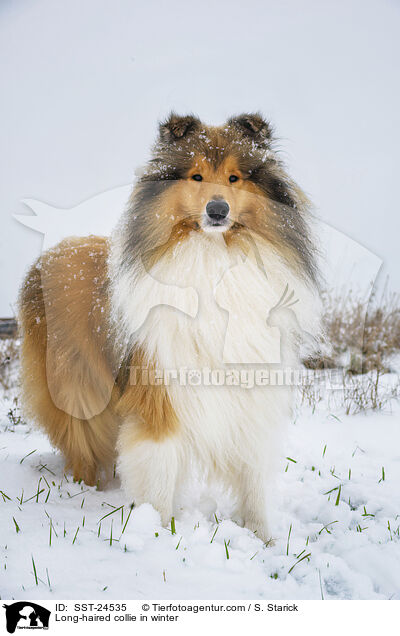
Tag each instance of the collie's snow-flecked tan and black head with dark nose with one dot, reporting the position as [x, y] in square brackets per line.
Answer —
[219, 179]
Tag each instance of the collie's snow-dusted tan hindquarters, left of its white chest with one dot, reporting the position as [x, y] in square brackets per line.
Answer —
[64, 356]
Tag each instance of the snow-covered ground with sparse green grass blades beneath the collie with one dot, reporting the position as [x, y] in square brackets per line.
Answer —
[336, 523]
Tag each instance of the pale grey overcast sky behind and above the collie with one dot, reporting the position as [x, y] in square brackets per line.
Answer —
[85, 82]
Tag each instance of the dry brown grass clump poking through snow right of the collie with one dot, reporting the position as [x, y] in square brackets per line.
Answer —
[361, 340]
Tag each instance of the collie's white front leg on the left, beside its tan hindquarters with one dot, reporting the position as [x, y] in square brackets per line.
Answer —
[148, 468]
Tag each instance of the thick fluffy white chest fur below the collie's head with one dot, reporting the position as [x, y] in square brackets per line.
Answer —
[229, 330]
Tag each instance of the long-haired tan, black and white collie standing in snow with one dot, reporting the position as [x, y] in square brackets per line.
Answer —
[211, 270]
